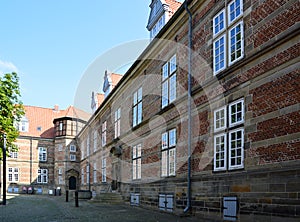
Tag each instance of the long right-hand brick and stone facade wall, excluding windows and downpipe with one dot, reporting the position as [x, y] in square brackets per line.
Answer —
[266, 79]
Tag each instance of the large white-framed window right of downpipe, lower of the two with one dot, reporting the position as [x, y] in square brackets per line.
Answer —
[229, 137]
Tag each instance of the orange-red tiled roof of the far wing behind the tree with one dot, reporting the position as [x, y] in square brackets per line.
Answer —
[41, 119]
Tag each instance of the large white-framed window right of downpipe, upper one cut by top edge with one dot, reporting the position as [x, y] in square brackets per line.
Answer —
[228, 43]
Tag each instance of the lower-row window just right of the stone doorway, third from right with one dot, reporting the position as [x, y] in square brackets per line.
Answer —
[137, 162]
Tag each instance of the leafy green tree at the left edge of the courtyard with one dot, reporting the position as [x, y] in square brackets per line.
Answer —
[11, 110]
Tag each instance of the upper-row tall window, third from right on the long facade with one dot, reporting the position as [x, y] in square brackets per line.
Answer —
[137, 107]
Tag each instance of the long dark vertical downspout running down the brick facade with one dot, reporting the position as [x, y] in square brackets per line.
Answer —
[189, 205]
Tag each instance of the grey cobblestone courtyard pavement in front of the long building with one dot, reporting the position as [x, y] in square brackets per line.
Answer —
[53, 208]
